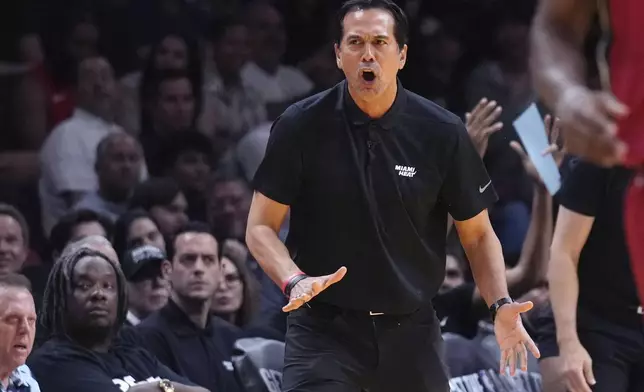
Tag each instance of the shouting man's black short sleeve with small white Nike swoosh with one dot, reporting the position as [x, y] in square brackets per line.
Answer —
[467, 189]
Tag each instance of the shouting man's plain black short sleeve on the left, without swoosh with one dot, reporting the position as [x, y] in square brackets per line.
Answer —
[279, 176]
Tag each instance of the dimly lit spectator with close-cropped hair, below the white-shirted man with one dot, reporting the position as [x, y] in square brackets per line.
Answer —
[119, 167]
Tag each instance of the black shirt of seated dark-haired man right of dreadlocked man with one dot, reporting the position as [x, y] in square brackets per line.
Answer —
[201, 355]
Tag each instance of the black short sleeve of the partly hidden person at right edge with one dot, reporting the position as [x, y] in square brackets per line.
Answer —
[584, 187]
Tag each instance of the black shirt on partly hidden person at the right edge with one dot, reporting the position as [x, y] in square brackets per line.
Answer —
[606, 283]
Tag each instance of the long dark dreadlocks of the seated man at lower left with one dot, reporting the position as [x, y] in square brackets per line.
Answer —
[60, 285]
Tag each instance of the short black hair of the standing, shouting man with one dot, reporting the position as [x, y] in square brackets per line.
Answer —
[401, 26]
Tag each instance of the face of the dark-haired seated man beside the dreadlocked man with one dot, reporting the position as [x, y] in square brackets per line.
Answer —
[195, 270]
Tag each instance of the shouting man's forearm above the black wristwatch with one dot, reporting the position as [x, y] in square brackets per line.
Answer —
[488, 267]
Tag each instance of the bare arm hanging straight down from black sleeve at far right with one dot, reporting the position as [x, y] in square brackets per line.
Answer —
[571, 233]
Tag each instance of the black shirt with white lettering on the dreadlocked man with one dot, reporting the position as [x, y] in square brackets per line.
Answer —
[61, 365]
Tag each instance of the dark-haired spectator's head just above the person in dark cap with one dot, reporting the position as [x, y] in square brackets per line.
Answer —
[136, 228]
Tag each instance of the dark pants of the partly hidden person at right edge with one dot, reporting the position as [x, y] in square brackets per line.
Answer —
[616, 348]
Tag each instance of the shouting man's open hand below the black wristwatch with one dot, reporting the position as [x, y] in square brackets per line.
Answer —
[512, 337]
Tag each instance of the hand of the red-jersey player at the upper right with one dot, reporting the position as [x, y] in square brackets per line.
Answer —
[588, 122]
